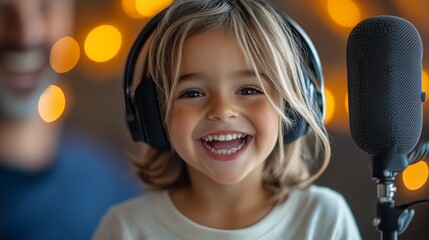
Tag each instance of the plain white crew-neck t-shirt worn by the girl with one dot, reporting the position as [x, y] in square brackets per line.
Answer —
[312, 213]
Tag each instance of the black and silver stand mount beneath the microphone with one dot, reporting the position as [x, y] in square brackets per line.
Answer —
[390, 220]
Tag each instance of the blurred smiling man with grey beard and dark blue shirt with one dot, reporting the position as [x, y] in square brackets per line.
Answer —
[55, 183]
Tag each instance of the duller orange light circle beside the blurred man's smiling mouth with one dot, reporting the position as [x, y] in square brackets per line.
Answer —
[64, 54]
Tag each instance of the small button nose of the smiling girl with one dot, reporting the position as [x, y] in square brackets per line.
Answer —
[222, 109]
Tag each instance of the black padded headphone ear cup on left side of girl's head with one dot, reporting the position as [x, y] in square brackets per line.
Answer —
[149, 115]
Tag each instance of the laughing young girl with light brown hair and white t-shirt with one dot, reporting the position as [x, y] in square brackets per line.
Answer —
[224, 71]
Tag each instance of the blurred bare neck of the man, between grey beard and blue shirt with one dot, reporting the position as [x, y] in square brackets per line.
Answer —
[28, 144]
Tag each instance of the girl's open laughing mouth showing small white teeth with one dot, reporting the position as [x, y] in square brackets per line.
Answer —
[225, 145]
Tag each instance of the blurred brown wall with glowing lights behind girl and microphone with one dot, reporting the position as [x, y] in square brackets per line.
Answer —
[93, 87]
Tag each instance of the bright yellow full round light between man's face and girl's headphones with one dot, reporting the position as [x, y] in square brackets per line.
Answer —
[103, 43]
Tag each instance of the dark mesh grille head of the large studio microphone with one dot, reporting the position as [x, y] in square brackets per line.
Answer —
[384, 68]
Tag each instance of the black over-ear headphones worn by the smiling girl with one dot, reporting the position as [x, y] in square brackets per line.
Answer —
[142, 109]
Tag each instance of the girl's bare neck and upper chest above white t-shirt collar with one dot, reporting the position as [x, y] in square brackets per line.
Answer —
[224, 206]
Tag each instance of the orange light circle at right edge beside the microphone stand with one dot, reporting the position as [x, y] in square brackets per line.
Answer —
[415, 175]
